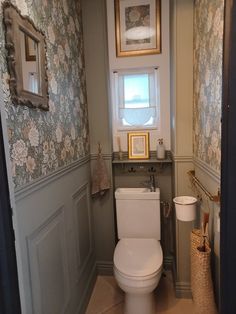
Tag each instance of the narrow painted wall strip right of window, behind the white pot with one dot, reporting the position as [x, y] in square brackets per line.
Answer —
[182, 126]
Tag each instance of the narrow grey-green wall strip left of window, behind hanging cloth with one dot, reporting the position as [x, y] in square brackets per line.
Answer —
[96, 63]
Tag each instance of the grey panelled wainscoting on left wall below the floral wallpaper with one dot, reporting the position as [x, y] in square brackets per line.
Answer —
[55, 234]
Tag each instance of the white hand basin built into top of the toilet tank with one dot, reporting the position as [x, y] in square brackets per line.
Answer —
[137, 193]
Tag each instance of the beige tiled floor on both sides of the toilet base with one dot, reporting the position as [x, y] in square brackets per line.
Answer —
[108, 298]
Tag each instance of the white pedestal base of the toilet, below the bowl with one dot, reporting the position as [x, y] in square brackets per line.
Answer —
[139, 303]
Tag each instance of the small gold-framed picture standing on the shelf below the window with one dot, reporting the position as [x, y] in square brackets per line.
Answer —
[138, 145]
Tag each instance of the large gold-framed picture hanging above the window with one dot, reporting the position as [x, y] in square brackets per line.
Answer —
[137, 27]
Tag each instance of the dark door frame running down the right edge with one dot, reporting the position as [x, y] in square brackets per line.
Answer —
[228, 169]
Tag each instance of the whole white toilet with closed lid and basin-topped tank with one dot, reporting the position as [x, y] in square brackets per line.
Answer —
[138, 255]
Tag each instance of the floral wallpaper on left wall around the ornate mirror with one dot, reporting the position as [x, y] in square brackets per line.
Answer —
[40, 142]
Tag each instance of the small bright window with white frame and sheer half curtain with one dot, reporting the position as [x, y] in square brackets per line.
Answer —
[137, 101]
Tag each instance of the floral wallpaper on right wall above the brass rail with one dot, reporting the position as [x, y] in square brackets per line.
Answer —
[208, 47]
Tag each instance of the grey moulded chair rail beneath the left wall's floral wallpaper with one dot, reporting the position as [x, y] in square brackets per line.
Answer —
[35, 185]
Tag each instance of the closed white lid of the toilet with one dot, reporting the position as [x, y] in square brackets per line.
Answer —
[138, 257]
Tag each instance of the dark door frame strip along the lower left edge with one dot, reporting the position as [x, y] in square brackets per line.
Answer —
[9, 290]
